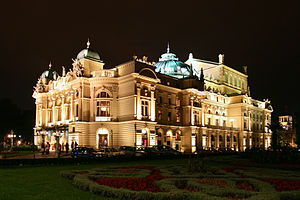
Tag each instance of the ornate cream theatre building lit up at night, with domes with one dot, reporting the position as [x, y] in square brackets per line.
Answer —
[196, 104]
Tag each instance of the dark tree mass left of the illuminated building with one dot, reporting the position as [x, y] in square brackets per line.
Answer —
[16, 119]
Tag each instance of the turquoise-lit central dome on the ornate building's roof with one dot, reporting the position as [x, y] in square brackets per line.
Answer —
[170, 65]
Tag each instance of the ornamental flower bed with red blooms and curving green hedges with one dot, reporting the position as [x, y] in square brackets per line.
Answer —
[147, 182]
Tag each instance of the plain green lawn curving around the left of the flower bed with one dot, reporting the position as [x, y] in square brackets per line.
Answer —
[45, 182]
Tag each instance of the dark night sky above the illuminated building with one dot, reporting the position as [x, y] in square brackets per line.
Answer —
[264, 35]
